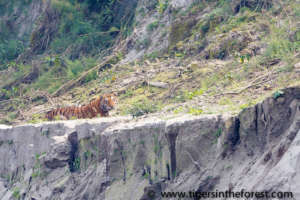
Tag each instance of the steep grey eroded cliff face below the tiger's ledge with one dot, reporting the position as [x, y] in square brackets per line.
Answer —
[117, 158]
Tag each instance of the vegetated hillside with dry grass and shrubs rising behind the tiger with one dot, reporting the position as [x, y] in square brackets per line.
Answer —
[168, 57]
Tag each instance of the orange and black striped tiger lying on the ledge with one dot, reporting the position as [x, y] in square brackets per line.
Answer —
[101, 105]
